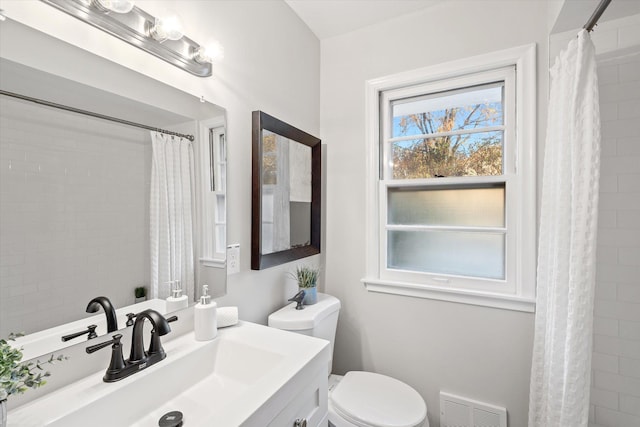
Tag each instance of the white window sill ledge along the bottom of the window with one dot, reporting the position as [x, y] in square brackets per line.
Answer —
[507, 302]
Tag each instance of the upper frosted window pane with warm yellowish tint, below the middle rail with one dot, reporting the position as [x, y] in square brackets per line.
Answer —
[469, 207]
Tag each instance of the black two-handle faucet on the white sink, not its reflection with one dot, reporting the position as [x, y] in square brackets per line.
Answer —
[139, 359]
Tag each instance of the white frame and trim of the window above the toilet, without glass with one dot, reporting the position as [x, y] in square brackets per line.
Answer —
[517, 291]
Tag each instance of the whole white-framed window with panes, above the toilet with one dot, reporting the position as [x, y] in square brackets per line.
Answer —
[452, 181]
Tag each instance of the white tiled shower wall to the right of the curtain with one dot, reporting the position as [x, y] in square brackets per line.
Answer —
[615, 394]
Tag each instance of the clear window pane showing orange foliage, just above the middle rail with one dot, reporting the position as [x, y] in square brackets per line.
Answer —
[470, 154]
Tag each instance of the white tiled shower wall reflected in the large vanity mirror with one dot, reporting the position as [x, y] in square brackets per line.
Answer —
[73, 214]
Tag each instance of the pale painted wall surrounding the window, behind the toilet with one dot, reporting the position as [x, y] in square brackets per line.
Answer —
[482, 353]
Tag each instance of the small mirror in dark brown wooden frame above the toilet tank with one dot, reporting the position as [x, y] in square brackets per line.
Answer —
[286, 190]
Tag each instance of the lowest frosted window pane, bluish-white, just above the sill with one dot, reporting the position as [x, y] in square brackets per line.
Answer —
[447, 252]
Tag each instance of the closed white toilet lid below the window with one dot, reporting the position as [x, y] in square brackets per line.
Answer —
[373, 400]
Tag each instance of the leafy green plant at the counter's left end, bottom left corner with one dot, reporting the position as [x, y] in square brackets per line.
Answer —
[17, 377]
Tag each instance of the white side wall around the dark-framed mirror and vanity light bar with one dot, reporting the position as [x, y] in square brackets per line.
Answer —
[271, 63]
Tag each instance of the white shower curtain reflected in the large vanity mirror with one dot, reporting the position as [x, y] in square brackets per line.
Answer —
[171, 213]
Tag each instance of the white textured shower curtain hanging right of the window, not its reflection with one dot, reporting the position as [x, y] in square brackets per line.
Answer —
[560, 377]
